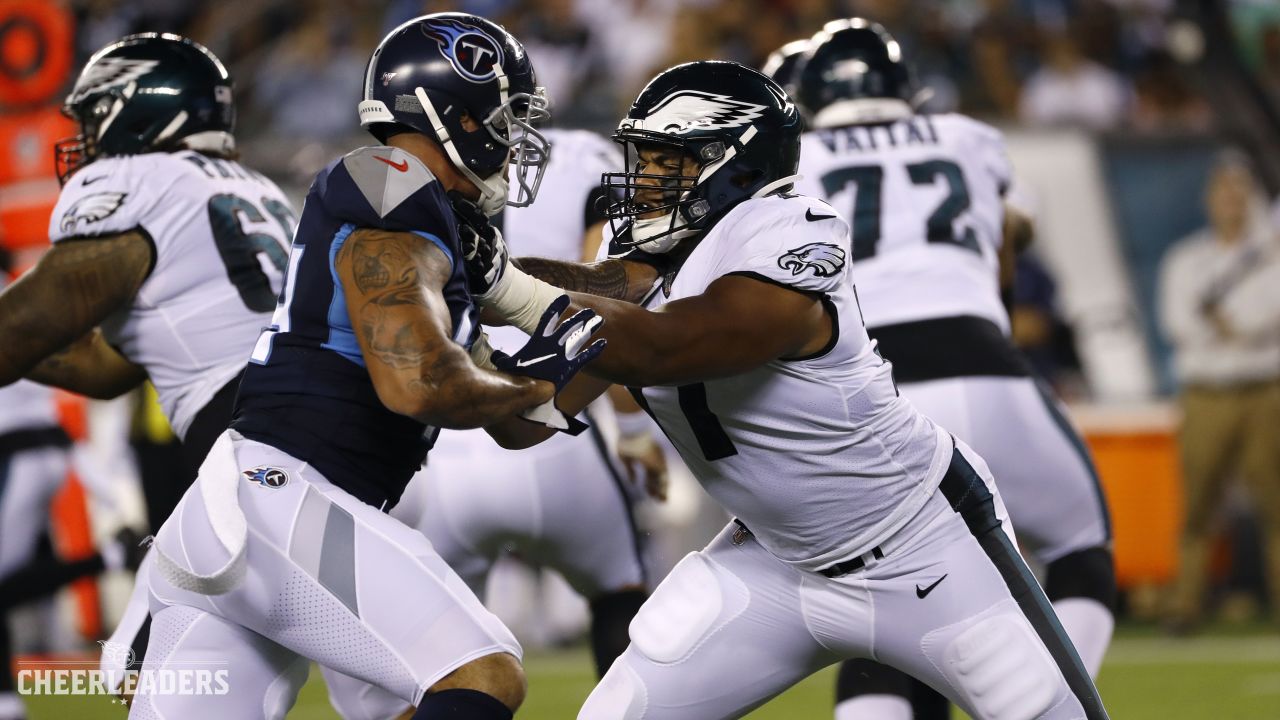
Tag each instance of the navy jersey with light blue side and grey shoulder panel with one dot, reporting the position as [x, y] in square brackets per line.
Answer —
[307, 390]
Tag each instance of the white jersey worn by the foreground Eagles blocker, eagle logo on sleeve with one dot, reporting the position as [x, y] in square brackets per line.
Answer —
[819, 457]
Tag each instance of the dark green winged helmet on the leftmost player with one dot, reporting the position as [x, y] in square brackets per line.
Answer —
[148, 93]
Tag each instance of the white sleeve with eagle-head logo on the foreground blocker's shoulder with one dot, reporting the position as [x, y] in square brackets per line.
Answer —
[796, 241]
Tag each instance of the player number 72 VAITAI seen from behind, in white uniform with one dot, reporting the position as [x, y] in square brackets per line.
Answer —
[925, 194]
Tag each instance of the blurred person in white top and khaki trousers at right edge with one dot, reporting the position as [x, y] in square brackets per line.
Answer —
[1222, 313]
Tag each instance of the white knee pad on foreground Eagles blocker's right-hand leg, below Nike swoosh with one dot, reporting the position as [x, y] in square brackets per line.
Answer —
[1002, 669]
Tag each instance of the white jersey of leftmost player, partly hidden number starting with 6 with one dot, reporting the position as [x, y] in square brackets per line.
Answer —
[222, 241]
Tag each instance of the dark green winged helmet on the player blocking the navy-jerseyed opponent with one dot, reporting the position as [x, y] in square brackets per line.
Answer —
[742, 131]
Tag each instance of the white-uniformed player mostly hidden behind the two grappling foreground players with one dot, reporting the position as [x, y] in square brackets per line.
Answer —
[564, 504]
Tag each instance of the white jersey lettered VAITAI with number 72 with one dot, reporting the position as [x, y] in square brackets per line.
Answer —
[925, 198]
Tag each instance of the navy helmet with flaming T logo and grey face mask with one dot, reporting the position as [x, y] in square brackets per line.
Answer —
[435, 71]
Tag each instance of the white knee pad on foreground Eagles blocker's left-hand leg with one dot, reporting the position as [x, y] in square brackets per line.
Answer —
[697, 599]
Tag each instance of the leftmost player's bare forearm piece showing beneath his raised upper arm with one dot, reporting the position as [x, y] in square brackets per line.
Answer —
[90, 367]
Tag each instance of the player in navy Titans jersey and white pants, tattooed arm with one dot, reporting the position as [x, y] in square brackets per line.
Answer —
[282, 552]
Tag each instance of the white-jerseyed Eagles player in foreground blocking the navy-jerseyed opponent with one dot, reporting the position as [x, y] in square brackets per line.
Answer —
[862, 528]
